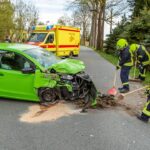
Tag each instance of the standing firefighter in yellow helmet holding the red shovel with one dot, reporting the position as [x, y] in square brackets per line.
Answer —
[125, 64]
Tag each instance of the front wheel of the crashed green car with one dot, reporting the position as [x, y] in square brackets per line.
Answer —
[47, 95]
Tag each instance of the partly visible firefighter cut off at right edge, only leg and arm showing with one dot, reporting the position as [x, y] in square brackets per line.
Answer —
[146, 111]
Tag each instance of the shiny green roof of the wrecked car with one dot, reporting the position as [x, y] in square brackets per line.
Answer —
[16, 46]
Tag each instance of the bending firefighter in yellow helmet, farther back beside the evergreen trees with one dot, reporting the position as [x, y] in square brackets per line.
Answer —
[143, 59]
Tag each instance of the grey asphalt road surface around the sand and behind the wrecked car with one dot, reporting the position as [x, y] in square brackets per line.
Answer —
[96, 130]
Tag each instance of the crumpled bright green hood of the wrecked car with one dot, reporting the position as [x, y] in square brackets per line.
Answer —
[68, 66]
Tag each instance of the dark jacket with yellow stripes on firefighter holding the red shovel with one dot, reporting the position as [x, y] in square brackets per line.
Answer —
[125, 57]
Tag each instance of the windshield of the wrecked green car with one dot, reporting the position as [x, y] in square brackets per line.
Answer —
[44, 57]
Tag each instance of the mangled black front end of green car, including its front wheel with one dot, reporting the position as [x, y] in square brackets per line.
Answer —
[72, 88]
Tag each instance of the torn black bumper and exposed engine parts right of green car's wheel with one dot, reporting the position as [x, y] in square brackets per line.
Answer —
[82, 87]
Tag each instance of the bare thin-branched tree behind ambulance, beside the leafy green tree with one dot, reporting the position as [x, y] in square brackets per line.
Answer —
[26, 15]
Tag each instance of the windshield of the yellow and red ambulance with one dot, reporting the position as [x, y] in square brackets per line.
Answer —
[37, 37]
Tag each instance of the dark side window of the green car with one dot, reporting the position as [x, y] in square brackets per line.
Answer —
[13, 61]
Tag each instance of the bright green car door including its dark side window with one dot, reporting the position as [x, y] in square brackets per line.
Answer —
[14, 83]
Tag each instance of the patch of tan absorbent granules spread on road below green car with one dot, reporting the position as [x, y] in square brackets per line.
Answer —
[38, 114]
